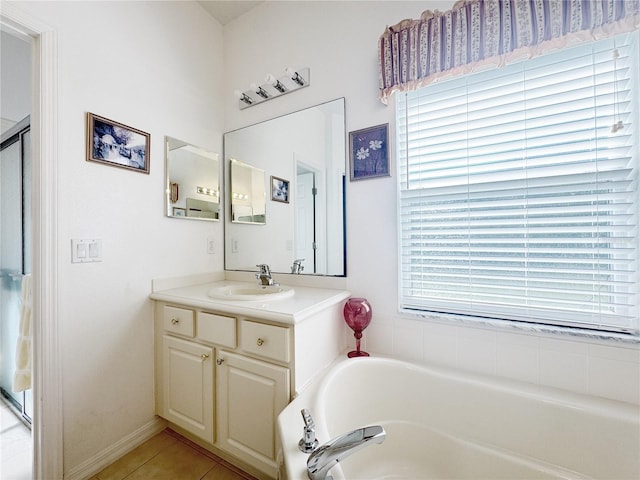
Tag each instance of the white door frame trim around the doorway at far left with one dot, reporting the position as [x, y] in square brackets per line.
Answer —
[47, 379]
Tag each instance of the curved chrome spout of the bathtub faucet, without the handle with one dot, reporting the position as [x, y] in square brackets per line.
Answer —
[326, 456]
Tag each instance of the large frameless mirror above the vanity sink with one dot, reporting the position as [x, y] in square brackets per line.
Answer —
[301, 157]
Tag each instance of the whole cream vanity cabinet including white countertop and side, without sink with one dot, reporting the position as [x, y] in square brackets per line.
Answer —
[225, 370]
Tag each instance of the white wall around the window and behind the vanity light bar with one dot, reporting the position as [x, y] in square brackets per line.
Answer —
[338, 41]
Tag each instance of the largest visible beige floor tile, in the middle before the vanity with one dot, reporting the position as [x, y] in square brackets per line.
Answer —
[178, 462]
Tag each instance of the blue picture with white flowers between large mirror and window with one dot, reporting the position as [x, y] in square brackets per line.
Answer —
[369, 152]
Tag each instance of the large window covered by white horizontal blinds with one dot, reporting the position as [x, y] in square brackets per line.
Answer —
[519, 191]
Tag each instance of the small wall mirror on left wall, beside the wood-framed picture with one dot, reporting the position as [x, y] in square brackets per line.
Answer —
[193, 186]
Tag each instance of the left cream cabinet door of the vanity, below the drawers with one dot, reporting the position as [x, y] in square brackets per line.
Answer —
[188, 386]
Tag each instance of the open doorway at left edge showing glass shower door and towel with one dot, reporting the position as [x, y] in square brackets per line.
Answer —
[16, 394]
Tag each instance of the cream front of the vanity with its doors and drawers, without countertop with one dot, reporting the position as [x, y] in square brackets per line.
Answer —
[224, 379]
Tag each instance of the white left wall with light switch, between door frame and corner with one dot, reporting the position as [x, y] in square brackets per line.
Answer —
[142, 64]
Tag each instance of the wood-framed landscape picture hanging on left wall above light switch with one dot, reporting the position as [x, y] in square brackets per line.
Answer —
[115, 144]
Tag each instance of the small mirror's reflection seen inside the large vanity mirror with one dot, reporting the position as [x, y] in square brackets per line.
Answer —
[248, 194]
